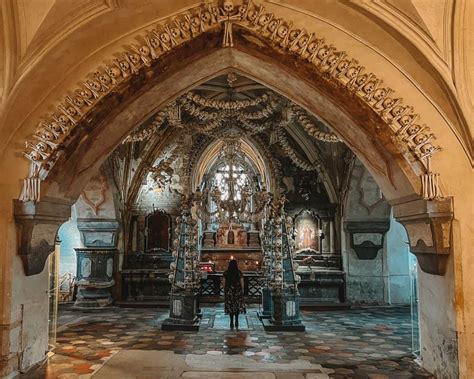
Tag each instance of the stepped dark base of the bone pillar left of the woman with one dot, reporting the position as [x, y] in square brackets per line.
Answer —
[184, 313]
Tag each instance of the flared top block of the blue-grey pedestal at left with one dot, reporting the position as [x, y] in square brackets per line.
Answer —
[98, 232]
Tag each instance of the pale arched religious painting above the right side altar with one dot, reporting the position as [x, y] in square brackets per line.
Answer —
[307, 233]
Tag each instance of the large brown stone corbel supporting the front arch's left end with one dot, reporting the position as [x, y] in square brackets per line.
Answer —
[38, 224]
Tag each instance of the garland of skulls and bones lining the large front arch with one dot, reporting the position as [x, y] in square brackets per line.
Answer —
[331, 64]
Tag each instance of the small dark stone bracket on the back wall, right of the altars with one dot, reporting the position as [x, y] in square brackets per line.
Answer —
[366, 237]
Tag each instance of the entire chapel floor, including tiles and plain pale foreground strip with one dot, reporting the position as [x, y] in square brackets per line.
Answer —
[128, 343]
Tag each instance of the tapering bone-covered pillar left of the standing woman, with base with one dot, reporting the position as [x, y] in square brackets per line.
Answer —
[185, 274]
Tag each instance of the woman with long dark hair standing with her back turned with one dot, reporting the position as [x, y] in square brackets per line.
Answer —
[233, 282]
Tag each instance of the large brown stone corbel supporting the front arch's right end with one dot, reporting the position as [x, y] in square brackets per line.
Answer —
[428, 224]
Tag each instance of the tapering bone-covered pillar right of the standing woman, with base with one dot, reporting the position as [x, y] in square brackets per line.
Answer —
[284, 281]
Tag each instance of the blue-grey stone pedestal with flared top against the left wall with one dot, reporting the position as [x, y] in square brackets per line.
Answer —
[95, 262]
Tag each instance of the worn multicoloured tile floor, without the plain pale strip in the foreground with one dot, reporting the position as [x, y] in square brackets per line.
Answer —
[357, 343]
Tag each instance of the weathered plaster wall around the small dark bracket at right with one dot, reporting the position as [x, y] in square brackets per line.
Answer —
[384, 279]
